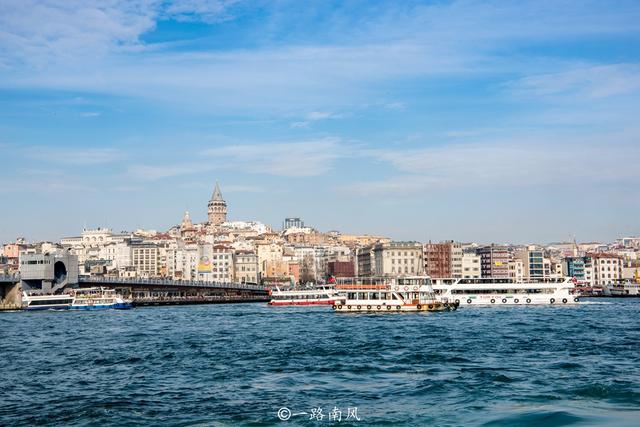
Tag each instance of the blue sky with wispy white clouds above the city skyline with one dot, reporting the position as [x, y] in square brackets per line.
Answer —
[468, 120]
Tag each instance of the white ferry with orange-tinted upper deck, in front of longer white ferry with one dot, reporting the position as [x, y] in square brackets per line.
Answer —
[405, 294]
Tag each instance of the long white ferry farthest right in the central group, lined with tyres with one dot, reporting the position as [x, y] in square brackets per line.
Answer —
[492, 291]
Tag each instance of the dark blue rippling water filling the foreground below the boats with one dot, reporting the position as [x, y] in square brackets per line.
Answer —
[239, 364]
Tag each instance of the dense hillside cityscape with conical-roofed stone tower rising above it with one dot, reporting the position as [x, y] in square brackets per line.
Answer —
[220, 250]
